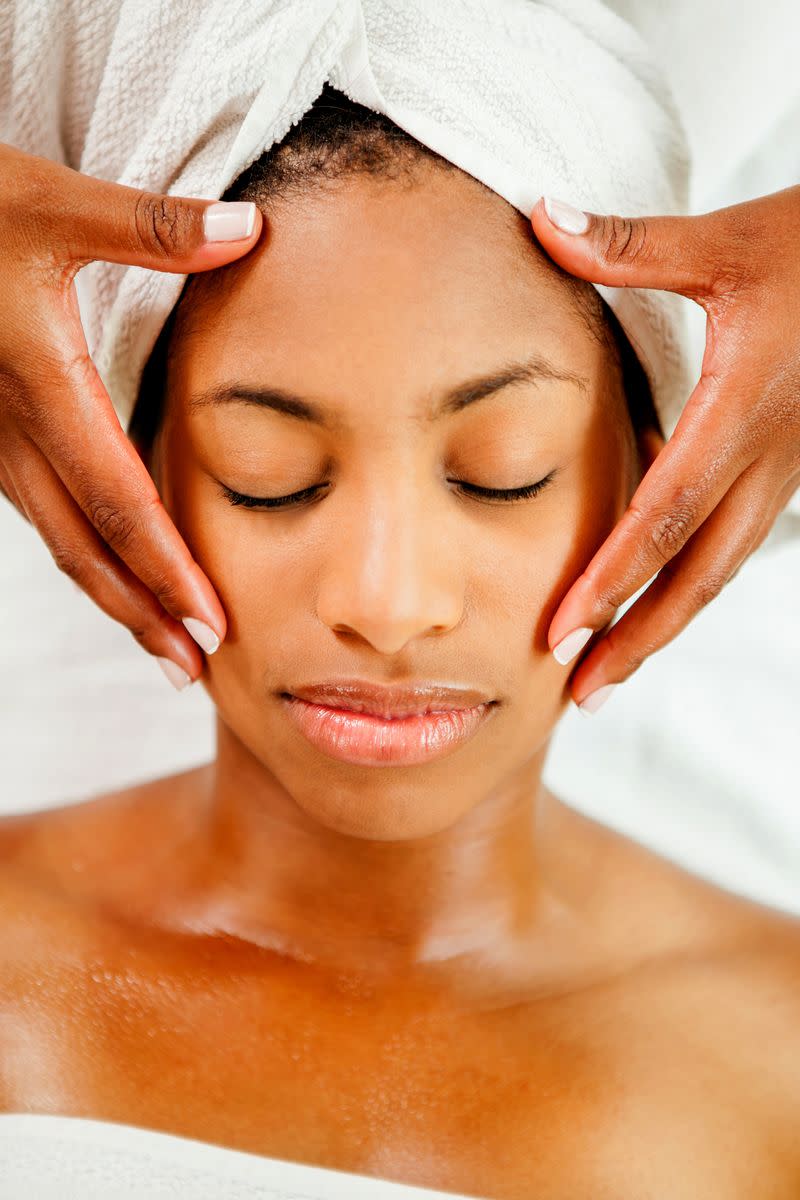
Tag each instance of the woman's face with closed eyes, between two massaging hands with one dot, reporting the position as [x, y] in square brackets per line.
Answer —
[384, 309]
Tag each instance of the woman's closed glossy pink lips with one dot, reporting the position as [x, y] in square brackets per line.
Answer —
[376, 725]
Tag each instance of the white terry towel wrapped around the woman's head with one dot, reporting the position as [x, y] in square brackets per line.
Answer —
[556, 98]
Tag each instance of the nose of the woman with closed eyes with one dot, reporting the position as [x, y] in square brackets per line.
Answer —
[392, 574]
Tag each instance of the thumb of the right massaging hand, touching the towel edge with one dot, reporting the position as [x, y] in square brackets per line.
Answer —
[670, 254]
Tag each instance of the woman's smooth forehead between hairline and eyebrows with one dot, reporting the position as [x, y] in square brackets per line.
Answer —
[423, 281]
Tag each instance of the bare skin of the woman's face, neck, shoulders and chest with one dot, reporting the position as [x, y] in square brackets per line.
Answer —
[440, 975]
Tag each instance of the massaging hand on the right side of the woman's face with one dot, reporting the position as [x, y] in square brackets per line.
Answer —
[733, 463]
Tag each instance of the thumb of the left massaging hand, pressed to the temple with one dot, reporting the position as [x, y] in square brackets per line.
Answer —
[93, 219]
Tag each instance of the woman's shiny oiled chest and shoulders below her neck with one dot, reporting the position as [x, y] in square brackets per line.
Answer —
[665, 1065]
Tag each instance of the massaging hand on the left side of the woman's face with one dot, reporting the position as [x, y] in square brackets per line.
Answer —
[65, 461]
